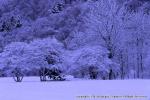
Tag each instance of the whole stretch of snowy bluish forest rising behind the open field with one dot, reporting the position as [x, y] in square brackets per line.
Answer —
[96, 39]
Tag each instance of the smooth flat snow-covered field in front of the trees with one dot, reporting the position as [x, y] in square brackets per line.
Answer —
[32, 89]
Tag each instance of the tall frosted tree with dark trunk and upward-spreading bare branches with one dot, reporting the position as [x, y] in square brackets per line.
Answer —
[103, 20]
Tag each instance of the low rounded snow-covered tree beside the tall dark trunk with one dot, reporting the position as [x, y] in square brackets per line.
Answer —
[92, 62]
